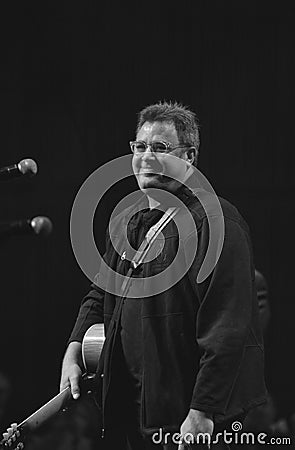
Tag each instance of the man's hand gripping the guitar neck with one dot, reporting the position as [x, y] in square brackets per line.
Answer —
[71, 369]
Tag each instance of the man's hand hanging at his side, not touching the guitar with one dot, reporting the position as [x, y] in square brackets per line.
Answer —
[196, 422]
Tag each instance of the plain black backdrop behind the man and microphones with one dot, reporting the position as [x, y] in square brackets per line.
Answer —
[73, 77]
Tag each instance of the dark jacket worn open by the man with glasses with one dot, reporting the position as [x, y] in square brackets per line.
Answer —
[202, 342]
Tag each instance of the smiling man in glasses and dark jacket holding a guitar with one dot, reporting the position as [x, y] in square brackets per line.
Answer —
[189, 359]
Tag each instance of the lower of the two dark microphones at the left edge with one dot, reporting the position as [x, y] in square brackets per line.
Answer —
[40, 225]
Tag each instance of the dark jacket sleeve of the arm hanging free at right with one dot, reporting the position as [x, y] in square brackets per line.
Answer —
[223, 317]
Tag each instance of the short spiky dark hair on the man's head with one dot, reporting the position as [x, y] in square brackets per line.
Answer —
[184, 120]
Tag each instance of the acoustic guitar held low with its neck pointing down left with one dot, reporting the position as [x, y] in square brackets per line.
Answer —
[92, 345]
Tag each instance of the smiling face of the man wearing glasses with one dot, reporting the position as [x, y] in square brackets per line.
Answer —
[153, 169]
